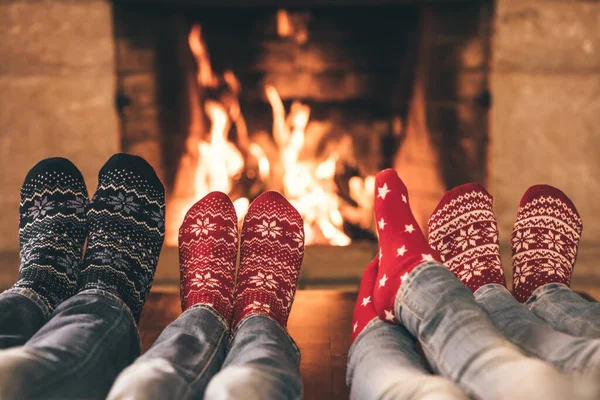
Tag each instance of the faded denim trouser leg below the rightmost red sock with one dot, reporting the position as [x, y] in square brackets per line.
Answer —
[565, 311]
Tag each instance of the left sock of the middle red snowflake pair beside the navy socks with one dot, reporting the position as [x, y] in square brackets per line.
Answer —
[208, 243]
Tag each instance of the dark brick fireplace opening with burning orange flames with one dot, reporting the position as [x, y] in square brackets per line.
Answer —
[310, 101]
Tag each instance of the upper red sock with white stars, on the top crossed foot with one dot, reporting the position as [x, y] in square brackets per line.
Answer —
[402, 245]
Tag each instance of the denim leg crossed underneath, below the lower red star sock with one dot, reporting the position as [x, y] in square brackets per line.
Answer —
[384, 364]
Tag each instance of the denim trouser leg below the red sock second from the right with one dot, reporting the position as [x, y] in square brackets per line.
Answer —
[535, 337]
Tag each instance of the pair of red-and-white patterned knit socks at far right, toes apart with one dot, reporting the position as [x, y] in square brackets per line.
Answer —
[544, 240]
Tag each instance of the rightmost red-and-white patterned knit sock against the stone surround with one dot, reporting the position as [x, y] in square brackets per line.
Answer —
[544, 240]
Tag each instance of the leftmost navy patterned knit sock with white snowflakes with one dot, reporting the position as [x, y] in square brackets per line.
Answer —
[51, 232]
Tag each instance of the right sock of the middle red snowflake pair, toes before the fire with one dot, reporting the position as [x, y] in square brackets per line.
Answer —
[271, 254]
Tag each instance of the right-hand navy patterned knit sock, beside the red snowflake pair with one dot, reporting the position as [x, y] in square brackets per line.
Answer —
[126, 224]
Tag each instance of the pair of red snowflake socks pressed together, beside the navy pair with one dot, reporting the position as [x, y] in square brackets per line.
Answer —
[271, 252]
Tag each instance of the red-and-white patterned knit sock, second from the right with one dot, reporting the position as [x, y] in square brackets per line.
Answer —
[464, 232]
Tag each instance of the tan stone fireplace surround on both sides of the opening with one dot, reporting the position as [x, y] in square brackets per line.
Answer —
[58, 85]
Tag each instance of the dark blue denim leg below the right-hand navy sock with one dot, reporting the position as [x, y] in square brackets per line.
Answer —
[86, 343]
